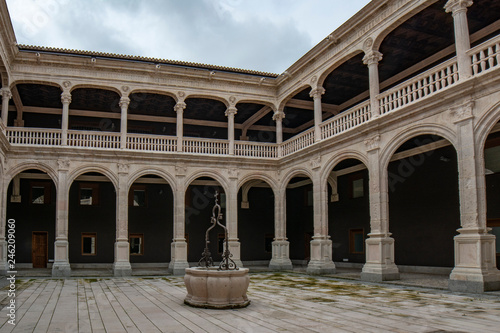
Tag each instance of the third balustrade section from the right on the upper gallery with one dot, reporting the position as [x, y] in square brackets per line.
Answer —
[346, 120]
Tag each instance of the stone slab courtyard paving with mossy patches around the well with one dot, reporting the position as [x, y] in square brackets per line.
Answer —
[280, 303]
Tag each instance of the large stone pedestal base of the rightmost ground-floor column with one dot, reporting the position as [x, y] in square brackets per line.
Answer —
[475, 258]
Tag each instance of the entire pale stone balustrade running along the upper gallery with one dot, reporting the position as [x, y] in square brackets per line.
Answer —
[484, 58]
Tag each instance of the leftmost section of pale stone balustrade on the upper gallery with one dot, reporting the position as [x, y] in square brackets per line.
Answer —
[33, 136]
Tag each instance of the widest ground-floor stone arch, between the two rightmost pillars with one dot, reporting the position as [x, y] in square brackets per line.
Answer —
[413, 131]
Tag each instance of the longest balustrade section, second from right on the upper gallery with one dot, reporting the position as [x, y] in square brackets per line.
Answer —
[421, 86]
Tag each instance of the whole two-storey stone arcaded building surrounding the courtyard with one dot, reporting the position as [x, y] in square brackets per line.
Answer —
[379, 148]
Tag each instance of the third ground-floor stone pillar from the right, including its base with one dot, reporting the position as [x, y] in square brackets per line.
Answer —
[321, 245]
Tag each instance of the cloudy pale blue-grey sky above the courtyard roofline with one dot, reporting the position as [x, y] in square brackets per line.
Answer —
[264, 35]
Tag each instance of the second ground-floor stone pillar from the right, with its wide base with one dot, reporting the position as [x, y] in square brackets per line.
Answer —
[379, 264]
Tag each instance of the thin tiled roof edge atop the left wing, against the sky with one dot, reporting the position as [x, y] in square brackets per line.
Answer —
[23, 47]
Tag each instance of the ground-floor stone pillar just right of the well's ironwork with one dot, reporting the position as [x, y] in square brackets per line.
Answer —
[232, 217]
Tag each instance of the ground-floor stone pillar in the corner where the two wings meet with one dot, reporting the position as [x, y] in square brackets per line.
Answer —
[281, 247]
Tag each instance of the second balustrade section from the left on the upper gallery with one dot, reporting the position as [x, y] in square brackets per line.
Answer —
[89, 139]
